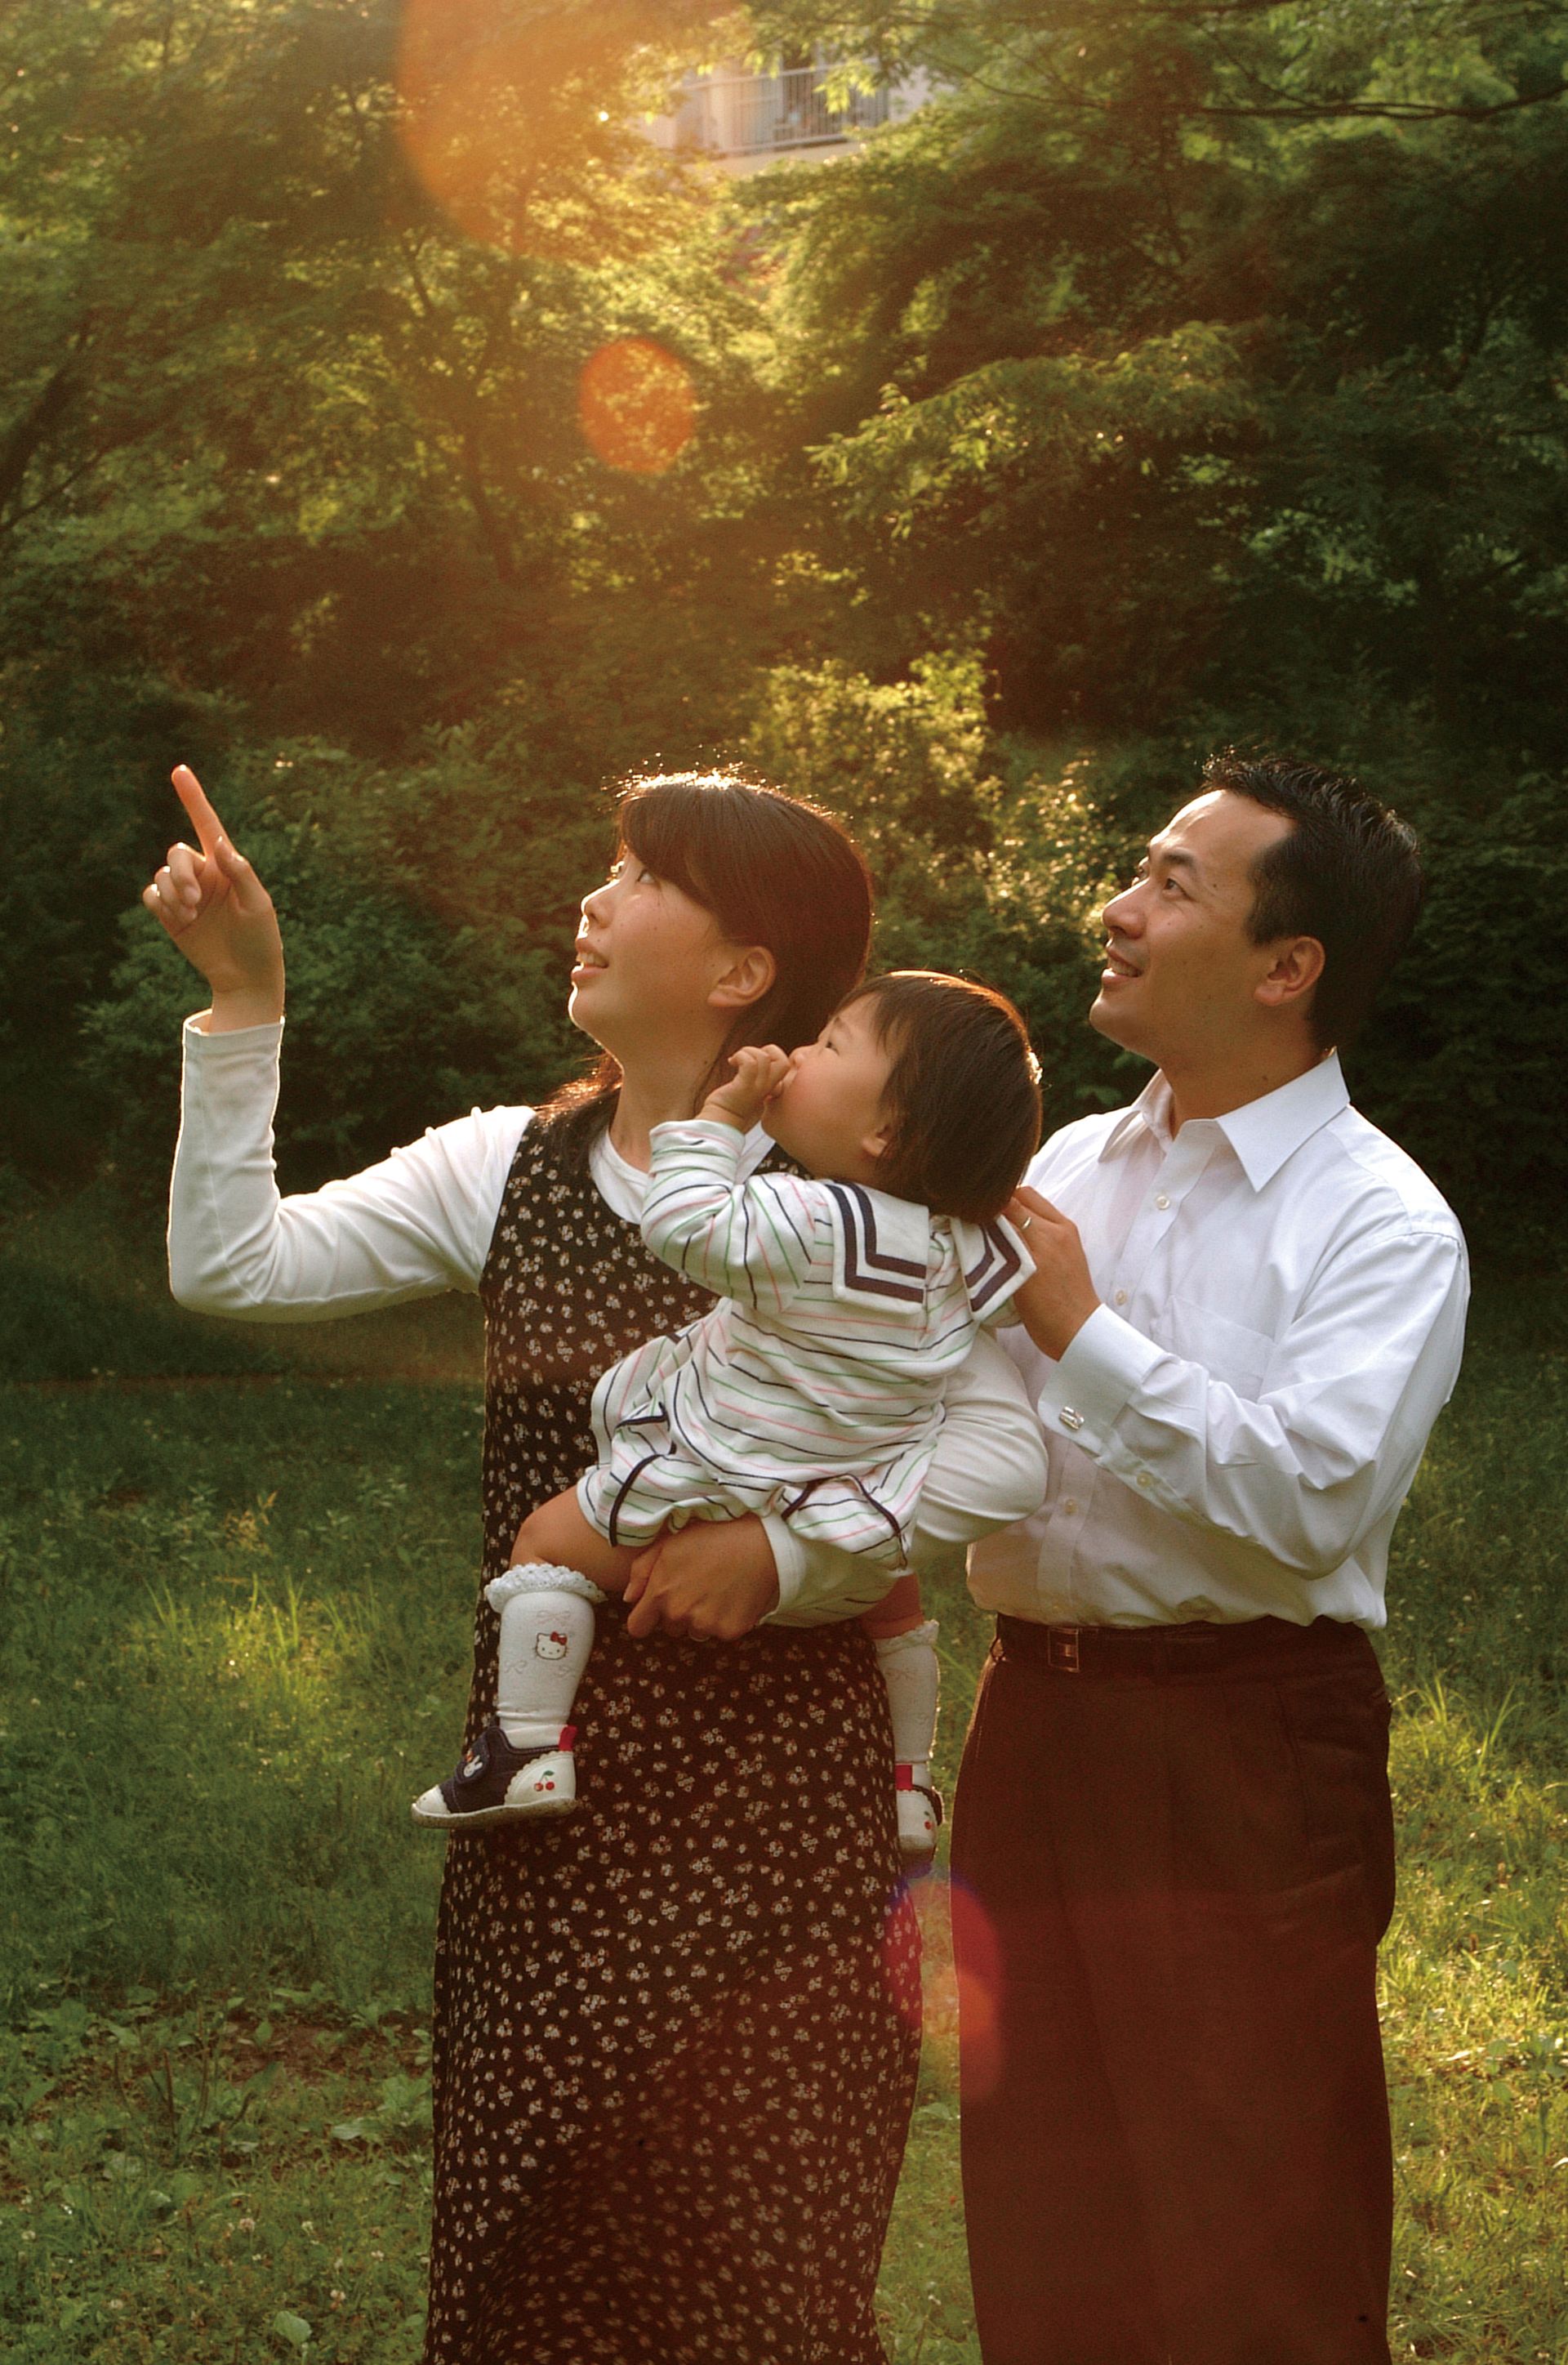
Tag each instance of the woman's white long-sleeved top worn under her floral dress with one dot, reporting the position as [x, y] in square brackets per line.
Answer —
[422, 1222]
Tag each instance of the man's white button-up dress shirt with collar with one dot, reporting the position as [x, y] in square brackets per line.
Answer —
[1236, 1427]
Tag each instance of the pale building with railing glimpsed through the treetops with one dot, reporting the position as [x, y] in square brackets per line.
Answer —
[746, 122]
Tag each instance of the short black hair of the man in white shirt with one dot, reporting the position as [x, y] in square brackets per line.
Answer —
[1349, 874]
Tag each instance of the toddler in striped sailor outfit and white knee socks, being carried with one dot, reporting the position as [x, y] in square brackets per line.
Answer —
[815, 1387]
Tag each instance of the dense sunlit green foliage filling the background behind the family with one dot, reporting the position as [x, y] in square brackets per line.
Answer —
[1181, 372]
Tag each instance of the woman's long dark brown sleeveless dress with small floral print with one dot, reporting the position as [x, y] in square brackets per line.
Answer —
[675, 2035]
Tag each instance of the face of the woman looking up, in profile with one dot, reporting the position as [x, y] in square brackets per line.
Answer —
[647, 966]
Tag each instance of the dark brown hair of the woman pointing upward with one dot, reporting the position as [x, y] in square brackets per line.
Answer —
[772, 872]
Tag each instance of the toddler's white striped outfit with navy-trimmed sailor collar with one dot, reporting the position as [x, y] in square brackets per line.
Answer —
[815, 1387]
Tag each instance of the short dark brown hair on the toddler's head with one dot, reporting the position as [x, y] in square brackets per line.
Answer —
[964, 1091]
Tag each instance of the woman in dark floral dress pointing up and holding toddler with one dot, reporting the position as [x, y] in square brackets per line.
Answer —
[675, 2037]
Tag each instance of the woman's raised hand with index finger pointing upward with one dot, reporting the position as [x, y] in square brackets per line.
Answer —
[221, 916]
